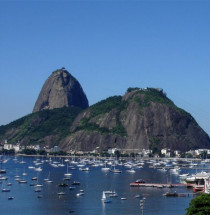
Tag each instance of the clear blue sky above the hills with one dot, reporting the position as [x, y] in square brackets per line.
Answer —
[108, 46]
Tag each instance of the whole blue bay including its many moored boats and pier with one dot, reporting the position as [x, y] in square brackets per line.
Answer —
[49, 191]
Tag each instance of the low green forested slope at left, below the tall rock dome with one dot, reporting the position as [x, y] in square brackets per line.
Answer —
[47, 127]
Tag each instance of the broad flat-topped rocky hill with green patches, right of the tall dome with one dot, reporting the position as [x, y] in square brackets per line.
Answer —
[142, 118]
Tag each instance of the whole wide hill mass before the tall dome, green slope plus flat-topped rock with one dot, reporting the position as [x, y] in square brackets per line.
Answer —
[142, 118]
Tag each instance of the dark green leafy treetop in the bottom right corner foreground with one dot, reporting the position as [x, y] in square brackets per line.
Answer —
[199, 205]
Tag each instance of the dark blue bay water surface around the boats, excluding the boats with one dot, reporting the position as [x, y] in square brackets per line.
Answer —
[93, 182]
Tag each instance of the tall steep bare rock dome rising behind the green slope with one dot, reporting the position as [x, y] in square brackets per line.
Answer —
[61, 89]
